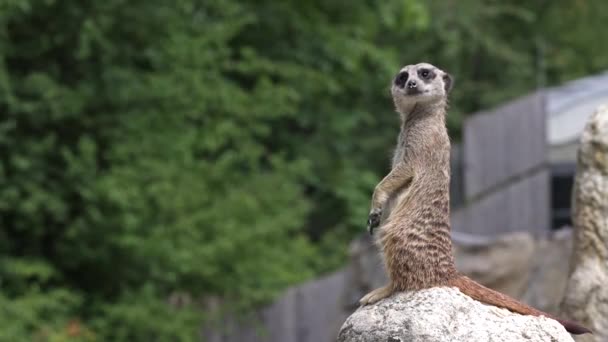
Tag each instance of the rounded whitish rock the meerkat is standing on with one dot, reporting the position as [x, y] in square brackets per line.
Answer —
[444, 314]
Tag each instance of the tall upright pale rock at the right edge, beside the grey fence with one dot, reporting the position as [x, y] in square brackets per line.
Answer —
[586, 299]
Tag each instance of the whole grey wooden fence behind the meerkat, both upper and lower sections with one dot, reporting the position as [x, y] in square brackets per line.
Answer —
[501, 179]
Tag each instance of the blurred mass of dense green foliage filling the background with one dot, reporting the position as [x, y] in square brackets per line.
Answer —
[222, 148]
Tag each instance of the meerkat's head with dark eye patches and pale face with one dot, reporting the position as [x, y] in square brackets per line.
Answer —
[420, 83]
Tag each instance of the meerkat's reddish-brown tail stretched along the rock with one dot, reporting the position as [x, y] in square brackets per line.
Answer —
[489, 296]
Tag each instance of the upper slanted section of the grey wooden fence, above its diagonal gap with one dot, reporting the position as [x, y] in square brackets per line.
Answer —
[503, 143]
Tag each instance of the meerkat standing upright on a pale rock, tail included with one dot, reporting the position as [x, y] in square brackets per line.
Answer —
[410, 206]
